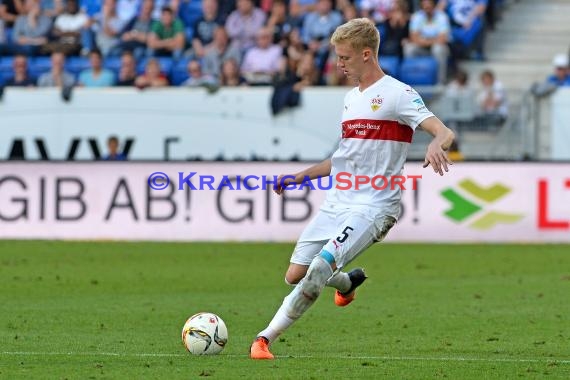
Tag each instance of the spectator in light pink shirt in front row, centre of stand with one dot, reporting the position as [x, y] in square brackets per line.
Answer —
[263, 61]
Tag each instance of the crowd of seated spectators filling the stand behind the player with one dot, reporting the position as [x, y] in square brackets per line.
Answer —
[153, 43]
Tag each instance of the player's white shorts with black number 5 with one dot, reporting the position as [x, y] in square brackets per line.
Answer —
[343, 233]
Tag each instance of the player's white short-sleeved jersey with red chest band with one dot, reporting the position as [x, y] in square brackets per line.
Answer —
[377, 128]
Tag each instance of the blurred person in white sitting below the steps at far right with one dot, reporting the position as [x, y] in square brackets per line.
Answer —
[492, 100]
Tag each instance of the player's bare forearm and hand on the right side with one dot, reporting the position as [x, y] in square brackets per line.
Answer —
[436, 154]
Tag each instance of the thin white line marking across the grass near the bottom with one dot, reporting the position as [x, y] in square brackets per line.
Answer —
[354, 357]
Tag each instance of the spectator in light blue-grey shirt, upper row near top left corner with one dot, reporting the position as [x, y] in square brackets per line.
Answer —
[31, 29]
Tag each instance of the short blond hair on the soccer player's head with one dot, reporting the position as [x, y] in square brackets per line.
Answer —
[360, 33]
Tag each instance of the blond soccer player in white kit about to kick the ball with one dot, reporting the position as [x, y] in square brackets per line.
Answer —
[379, 119]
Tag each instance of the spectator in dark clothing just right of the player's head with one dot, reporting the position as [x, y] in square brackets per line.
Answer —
[396, 30]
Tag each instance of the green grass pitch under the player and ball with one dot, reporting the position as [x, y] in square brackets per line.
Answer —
[115, 311]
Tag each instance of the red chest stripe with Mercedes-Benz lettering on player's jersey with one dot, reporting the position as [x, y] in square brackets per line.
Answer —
[371, 129]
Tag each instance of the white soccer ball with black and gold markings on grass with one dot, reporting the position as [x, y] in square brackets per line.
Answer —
[204, 334]
